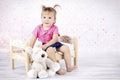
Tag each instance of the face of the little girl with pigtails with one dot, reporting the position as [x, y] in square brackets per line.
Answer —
[48, 19]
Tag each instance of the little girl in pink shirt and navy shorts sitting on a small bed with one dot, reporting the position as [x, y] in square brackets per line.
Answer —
[48, 33]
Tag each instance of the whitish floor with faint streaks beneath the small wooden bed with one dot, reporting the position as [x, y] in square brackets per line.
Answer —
[103, 66]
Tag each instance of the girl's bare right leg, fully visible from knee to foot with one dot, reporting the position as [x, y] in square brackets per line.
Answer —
[67, 57]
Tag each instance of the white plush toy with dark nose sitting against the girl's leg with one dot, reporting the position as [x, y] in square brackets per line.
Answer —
[42, 67]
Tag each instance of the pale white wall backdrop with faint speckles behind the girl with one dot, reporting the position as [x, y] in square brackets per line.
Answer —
[95, 22]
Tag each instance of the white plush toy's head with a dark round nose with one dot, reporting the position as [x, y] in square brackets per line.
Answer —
[39, 55]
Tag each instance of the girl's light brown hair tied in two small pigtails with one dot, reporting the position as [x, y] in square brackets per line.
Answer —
[50, 9]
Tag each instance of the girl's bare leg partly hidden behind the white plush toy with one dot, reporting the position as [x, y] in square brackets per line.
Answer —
[51, 55]
